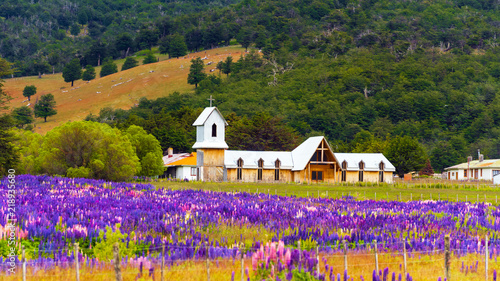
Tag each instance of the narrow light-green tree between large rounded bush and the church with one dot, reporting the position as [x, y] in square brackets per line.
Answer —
[148, 149]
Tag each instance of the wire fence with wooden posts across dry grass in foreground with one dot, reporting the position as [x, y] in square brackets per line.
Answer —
[322, 265]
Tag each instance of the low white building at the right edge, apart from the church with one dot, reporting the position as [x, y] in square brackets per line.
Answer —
[474, 170]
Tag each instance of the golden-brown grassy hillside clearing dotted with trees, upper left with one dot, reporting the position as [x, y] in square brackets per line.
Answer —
[120, 90]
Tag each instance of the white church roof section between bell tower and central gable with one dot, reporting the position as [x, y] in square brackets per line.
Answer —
[251, 159]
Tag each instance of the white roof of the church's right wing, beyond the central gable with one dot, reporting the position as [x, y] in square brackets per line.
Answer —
[371, 161]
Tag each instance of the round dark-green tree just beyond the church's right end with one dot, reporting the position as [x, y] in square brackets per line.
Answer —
[406, 154]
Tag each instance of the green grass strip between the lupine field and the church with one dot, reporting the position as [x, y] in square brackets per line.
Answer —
[398, 191]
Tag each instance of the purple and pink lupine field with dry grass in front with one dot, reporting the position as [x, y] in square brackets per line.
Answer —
[195, 226]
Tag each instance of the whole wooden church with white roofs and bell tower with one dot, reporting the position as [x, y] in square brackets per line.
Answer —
[312, 161]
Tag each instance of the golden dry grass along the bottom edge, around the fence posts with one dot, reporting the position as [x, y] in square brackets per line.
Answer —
[423, 268]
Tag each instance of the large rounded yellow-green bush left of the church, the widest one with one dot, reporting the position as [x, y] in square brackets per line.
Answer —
[88, 147]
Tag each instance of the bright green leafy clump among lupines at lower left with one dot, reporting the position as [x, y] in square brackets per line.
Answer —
[104, 248]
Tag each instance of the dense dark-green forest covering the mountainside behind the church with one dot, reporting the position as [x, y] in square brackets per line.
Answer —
[359, 72]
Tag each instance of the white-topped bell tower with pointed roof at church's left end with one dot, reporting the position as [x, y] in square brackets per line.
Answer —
[210, 144]
